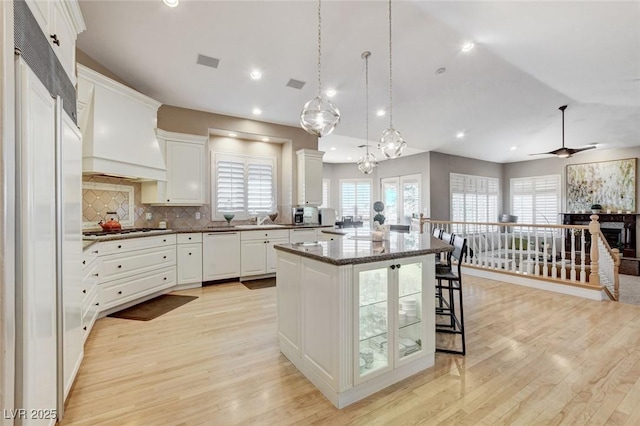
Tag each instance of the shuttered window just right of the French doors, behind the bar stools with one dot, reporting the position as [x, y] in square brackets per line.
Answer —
[473, 199]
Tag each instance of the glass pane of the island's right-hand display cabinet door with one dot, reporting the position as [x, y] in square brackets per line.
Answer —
[410, 312]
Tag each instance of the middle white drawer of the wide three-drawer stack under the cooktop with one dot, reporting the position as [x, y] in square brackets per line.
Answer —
[117, 266]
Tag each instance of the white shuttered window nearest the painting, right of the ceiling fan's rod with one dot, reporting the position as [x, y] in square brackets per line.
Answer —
[536, 199]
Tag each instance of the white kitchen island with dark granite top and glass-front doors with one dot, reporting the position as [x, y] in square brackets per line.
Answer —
[356, 316]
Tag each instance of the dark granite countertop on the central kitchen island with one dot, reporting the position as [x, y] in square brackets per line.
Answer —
[357, 247]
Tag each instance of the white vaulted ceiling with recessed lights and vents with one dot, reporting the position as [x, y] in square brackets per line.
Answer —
[529, 58]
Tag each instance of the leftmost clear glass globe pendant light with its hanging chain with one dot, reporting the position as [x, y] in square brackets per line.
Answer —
[319, 117]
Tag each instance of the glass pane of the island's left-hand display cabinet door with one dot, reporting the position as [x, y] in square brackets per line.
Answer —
[372, 351]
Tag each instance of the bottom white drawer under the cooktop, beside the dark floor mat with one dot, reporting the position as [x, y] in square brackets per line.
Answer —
[127, 289]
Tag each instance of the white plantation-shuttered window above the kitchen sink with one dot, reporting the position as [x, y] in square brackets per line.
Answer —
[243, 185]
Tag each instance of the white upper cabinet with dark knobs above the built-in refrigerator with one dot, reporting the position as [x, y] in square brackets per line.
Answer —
[61, 22]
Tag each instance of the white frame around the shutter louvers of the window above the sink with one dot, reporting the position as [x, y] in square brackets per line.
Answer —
[246, 159]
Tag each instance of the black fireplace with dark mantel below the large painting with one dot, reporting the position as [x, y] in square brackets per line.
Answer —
[618, 229]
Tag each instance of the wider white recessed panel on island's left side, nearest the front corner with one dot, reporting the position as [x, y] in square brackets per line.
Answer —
[320, 319]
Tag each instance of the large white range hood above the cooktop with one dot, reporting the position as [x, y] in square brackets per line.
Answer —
[118, 128]
